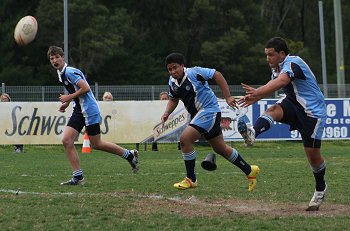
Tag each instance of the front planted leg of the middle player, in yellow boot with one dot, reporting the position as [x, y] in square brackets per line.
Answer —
[187, 138]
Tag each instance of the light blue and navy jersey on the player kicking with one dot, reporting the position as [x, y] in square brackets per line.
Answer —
[303, 88]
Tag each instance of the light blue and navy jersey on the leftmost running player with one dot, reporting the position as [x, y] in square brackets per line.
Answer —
[85, 104]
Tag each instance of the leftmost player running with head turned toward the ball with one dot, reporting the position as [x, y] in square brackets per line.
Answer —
[86, 113]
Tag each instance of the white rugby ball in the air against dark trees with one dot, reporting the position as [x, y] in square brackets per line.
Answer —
[26, 30]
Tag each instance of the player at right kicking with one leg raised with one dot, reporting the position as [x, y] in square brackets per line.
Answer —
[303, 108]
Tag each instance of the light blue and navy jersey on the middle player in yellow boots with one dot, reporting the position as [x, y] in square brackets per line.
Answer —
[194, 90]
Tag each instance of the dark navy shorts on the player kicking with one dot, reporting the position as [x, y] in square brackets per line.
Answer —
[295, 116]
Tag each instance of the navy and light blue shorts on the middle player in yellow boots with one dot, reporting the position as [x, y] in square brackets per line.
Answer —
[208, 124]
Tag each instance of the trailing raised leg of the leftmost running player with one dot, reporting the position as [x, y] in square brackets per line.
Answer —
[97, 143]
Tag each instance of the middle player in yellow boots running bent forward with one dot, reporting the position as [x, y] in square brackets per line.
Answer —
[190, 85]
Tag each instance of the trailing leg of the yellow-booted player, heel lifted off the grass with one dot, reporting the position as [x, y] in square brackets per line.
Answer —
[251, 171]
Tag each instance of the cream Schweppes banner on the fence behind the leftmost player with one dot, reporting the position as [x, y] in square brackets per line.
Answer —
[42, 123]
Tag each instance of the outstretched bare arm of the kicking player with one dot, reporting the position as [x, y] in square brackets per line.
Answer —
[255, 94]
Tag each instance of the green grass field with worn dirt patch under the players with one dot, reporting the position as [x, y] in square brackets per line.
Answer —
[113, 198]
